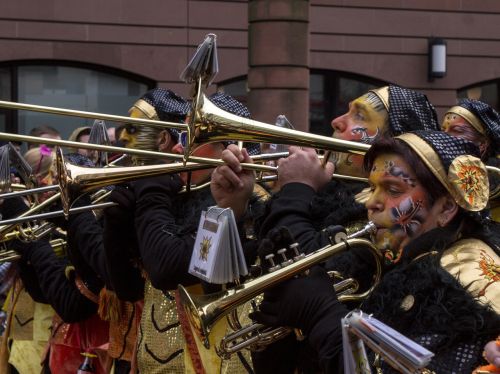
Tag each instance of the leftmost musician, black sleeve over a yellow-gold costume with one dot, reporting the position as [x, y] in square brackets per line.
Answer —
[43, 278]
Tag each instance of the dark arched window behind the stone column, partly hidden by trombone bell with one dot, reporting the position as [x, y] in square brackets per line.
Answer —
[329, 95]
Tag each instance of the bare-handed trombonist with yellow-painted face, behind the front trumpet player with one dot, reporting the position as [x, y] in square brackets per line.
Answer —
[313, 210]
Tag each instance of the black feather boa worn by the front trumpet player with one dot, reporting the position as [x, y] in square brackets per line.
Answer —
[442, 305]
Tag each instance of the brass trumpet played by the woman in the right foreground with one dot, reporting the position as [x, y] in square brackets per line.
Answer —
[205, 310]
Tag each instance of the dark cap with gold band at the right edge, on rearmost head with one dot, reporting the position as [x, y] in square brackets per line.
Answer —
[482, 117]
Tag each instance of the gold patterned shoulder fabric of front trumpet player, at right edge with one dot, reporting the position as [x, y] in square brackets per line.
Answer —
[477, 268]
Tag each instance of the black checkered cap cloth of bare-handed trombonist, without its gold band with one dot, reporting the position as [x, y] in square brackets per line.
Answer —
[410, 110]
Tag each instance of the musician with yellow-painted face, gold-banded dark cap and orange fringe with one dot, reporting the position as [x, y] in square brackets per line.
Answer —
[111, 251]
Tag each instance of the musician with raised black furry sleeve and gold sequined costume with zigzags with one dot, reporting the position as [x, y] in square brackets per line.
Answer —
[166, 223]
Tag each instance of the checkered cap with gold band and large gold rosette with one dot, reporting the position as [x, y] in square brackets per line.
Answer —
[456, 164]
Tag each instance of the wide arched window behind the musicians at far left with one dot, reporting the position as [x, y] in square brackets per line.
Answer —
[69, 87]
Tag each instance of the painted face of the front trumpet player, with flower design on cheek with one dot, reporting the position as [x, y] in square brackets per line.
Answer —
[399, 205]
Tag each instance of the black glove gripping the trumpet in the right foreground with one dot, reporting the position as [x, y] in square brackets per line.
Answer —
[300, 302]
